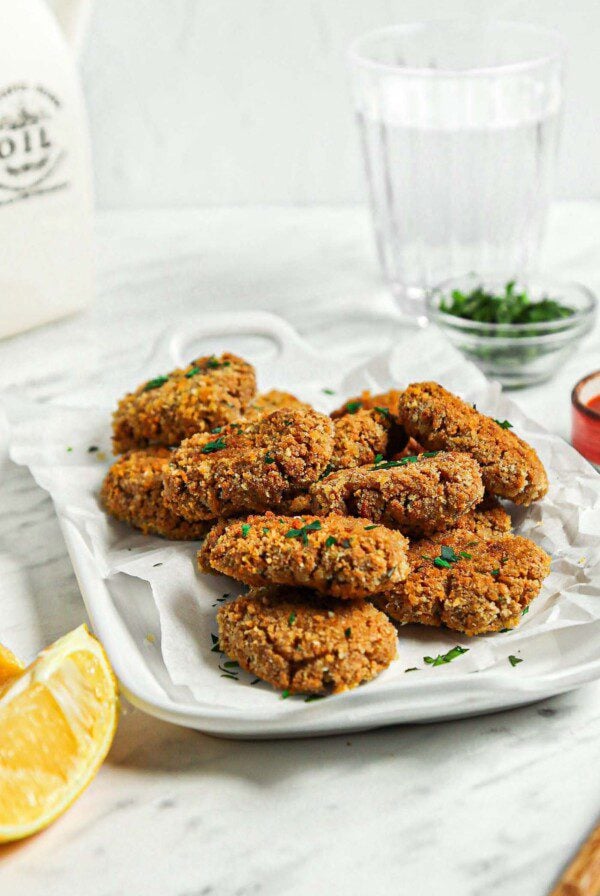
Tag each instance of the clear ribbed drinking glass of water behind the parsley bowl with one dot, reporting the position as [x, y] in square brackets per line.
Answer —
[459, 124]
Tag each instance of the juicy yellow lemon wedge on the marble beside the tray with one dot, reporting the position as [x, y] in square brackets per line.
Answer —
[57, 722]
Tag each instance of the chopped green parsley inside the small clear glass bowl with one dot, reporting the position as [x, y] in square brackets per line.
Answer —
[510, 307]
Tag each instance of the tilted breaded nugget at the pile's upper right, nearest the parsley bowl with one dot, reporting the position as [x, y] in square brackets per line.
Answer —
[438, 419]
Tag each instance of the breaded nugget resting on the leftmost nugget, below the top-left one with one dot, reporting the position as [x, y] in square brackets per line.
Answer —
[250, 465]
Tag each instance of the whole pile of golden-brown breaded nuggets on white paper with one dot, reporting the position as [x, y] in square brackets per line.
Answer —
[341, 526]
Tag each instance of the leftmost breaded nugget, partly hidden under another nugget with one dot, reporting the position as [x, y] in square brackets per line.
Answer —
[132, 493]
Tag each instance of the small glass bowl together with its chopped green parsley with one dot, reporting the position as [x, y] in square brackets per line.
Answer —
[517, 333]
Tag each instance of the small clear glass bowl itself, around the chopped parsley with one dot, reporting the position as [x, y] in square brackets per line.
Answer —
[516, 354]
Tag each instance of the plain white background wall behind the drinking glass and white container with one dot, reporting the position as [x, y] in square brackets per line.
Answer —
[208, 102]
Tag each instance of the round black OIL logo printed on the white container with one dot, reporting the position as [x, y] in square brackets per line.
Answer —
[32, 158]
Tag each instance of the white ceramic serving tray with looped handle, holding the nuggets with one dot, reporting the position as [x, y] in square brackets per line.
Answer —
[122, 610]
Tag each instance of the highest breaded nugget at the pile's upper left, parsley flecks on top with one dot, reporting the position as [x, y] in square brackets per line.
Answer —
[207, 393]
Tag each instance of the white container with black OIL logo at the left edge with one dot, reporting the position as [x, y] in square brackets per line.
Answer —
[46, 253]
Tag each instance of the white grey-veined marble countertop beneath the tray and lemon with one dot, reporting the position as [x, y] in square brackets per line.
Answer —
[481, 807]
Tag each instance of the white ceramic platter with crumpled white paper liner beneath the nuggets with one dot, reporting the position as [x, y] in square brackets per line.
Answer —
[559, 641]
